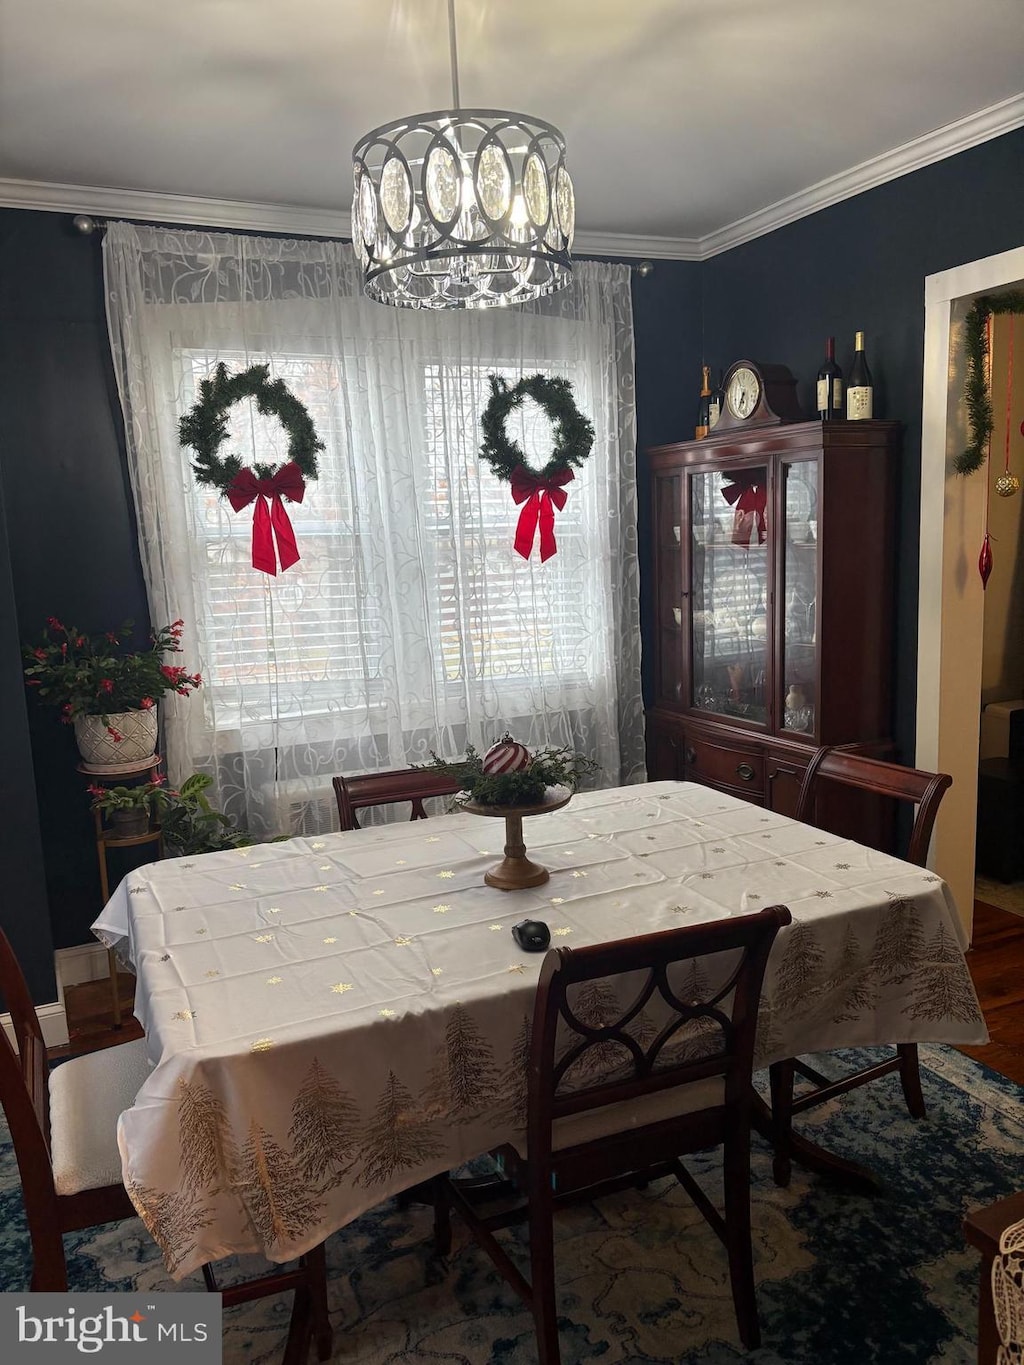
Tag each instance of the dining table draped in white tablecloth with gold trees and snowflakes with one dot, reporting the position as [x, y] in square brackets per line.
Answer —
[334, 1020]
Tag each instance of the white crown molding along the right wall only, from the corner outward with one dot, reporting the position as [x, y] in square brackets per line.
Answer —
[913, 156]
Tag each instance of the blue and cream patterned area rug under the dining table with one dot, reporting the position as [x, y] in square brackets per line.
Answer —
[842, 1278]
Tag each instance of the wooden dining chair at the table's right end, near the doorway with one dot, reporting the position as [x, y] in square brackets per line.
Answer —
[832, 768]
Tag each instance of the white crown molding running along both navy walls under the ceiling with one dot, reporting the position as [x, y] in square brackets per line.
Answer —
[311, 222]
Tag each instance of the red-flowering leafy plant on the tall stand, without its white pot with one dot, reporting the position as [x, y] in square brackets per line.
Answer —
[102, 675]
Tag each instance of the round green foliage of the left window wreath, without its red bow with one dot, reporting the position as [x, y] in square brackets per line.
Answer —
[205, 428]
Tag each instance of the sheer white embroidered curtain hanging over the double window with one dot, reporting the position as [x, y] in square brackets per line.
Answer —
[409, 624]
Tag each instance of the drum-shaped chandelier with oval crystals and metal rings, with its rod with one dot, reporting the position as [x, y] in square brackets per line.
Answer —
[462, 208]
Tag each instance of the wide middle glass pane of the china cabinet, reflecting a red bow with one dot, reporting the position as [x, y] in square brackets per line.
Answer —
[730, 592]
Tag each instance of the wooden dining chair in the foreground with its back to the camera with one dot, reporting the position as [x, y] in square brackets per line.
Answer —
[616, 1105]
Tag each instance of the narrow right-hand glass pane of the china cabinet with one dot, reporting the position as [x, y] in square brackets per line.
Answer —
[799, 599]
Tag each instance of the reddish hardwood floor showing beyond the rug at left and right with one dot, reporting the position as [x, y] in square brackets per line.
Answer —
[996, 962]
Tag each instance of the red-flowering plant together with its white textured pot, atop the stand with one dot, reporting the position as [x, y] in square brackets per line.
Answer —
[106, 689]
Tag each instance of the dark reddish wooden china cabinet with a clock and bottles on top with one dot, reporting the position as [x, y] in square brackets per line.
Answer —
[772, 563]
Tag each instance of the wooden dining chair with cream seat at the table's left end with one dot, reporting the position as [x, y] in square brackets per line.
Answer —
[63, 1124]
